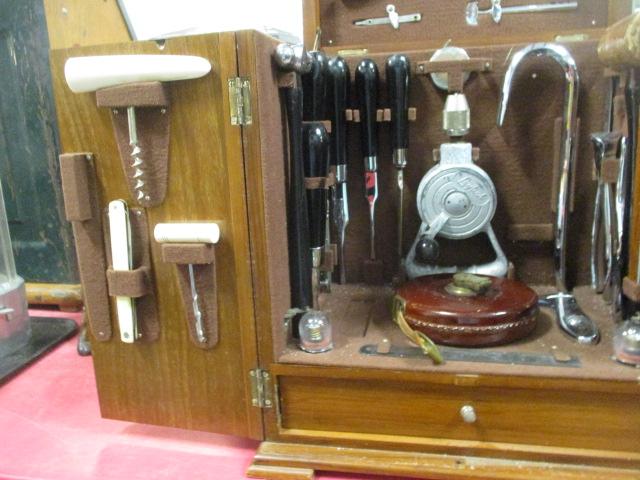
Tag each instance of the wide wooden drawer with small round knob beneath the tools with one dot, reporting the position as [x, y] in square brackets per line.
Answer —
[517, 411]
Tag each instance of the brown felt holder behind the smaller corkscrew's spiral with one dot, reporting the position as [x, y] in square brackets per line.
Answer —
[201, 256]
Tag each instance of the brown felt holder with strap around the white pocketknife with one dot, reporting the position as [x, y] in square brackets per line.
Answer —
[138, 282]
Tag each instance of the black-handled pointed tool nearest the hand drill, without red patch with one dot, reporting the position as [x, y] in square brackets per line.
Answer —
[398, 69]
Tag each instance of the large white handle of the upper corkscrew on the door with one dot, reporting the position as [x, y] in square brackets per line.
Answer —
[87, 74]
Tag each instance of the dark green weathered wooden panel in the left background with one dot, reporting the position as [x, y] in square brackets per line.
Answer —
[42, 241]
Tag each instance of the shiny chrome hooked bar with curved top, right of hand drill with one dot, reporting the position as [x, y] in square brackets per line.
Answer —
[570, 317]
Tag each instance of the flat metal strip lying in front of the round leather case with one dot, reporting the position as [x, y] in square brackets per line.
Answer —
[452, 354]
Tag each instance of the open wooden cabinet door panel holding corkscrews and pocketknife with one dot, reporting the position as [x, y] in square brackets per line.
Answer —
[171, 381]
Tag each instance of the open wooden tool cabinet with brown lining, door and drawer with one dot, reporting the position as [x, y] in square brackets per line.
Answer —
[343, 410]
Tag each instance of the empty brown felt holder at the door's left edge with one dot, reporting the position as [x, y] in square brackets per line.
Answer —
[82, 210]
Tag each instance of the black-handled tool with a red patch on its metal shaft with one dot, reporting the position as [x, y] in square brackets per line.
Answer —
[367, 92]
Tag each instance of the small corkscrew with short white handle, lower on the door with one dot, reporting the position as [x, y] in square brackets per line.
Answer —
[190, 233]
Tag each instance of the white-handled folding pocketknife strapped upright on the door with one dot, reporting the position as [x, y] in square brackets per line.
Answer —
[121, 259]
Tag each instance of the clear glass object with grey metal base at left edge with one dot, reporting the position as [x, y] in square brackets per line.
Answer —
[14, 316]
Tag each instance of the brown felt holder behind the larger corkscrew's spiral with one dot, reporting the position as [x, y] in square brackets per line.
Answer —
[151, 103]
